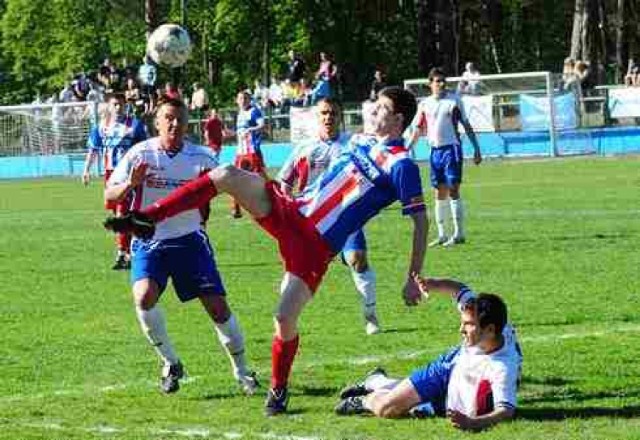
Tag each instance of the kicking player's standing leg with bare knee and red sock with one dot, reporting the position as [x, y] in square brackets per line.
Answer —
[294, 295]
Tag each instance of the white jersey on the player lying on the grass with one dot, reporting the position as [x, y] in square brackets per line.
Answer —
[476, 374]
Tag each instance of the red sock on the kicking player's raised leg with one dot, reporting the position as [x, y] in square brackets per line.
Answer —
[191, 195]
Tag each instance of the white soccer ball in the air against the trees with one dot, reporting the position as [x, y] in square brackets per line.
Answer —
[170, 45]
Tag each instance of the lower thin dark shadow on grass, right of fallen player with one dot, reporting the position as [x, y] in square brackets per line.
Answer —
[555, 413]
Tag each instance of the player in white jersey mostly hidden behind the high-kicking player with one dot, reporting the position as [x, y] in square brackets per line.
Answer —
[302, 168]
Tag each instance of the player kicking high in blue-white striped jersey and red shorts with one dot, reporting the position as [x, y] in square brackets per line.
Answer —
[311, 228]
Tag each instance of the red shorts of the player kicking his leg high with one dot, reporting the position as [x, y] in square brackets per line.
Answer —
[302, 249]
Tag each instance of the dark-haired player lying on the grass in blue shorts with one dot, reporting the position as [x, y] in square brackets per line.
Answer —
[473, 384]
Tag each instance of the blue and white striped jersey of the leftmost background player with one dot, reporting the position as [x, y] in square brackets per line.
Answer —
[112, 138]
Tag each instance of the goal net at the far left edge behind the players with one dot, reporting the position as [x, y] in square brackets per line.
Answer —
[45, 129]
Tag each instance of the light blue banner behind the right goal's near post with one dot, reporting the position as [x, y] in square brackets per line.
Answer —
[534, 112]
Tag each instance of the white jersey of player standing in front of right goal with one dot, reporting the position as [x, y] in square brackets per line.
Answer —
[440, 116]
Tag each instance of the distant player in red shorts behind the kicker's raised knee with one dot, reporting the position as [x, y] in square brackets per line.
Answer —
[249, 126]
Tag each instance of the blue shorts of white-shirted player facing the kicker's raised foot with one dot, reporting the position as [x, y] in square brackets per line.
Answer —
[188, 260]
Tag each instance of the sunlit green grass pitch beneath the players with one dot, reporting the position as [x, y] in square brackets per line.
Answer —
[557, 238]
